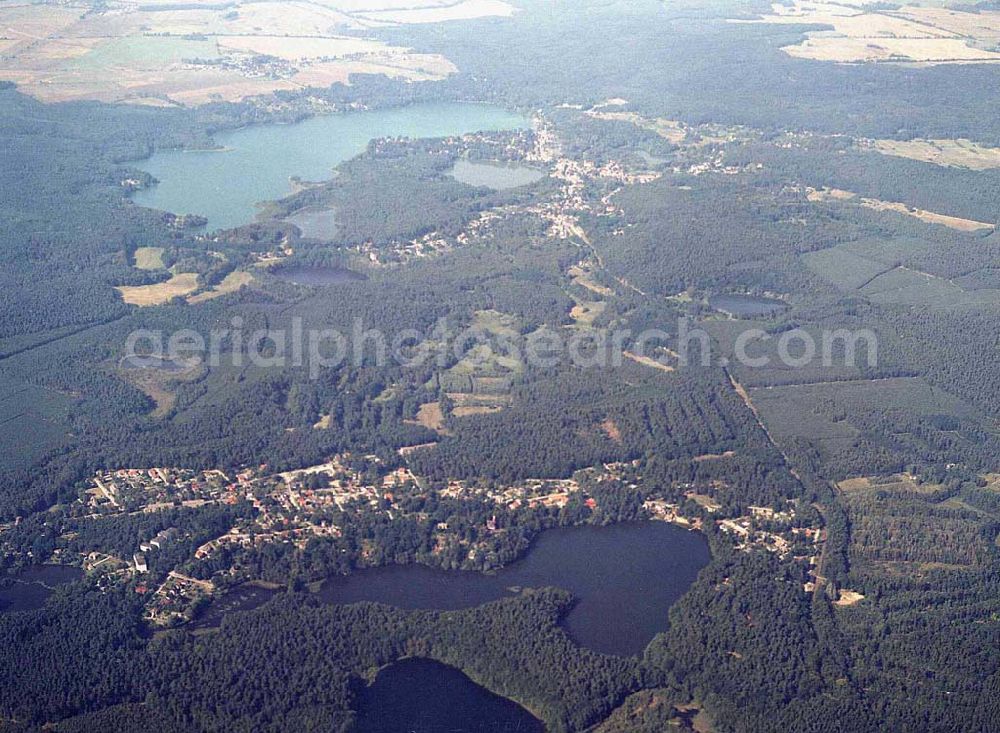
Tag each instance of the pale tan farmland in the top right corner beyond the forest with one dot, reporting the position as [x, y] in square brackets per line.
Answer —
[869, 32]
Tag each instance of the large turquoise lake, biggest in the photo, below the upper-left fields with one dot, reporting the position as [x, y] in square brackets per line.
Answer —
[254, 164]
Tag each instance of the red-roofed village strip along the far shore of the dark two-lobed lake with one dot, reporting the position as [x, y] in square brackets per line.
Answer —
[294, 508]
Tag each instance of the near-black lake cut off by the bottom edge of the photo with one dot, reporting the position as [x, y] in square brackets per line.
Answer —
[423, 696]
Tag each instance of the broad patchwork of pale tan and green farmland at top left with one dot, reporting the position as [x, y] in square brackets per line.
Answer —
[192, 54]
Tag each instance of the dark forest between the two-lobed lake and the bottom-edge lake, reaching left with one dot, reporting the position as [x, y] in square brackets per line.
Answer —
[293, 663]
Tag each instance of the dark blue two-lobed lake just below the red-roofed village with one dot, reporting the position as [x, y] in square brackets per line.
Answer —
[625, 577]
